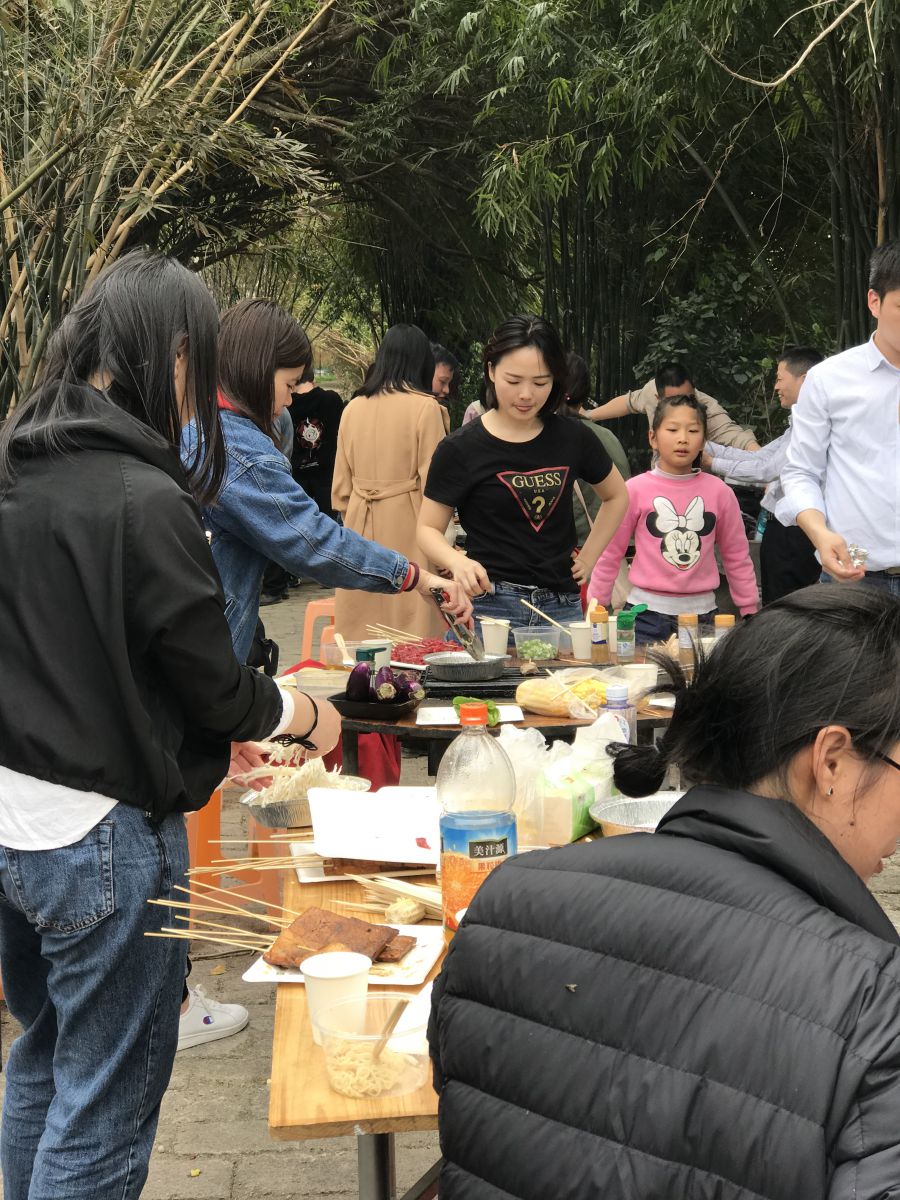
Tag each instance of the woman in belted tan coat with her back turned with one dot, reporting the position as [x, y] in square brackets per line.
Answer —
[388, 435]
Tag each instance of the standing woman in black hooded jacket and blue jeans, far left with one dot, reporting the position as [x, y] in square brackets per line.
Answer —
[121, 705]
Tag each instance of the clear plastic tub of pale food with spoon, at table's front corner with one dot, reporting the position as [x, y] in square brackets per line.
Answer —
[350, 1035]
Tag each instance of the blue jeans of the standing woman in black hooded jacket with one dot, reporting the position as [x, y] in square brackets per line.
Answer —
[99, 1005]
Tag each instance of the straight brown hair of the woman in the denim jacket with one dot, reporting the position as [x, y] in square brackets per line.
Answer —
[257, 339]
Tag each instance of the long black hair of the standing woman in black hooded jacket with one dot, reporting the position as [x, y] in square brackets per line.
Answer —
[118, 346]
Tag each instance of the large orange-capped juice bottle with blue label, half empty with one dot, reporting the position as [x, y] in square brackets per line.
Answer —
[476, 790]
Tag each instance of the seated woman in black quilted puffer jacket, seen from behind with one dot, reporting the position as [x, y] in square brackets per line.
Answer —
[712, 1011]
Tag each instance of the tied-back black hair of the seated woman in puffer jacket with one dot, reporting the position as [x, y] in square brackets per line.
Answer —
[829, 655]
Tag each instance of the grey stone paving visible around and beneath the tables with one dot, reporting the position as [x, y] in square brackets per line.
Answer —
[214, 1118]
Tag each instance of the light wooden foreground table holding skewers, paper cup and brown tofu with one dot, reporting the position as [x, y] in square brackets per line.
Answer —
[302, 1105]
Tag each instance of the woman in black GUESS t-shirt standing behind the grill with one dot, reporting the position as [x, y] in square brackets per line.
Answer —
[511, 477]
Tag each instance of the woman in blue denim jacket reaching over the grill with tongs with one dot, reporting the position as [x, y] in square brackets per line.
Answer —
[262, 513]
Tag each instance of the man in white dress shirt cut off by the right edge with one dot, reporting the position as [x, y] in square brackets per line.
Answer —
[843, 477]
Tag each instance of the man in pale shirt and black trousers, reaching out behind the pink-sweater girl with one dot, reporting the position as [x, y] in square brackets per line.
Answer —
[787, 557]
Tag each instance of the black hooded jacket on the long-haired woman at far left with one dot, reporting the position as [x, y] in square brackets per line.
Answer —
[117, 671]
